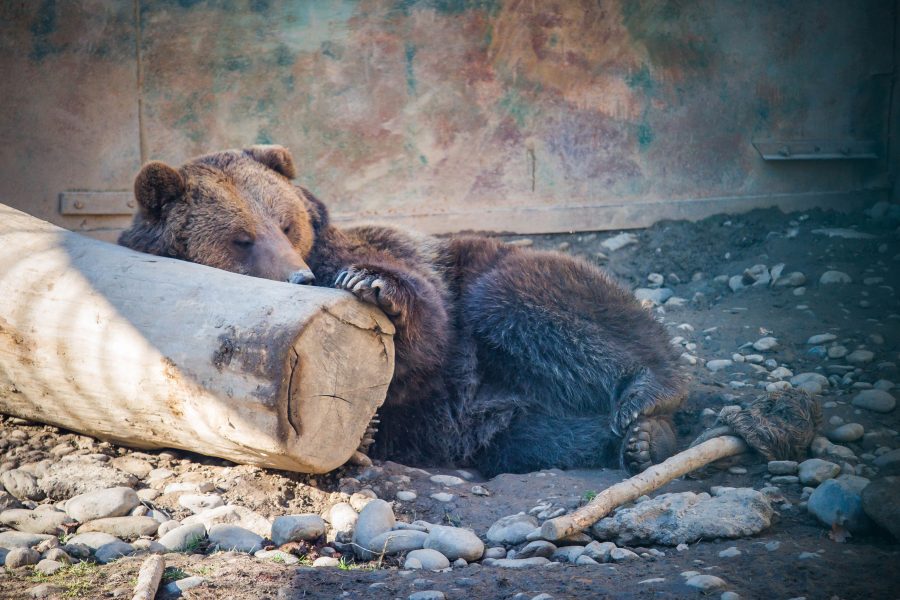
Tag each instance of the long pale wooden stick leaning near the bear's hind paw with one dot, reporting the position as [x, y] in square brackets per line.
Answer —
[643, 483]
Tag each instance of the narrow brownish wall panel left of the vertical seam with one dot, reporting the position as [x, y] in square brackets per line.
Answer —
[68, 105]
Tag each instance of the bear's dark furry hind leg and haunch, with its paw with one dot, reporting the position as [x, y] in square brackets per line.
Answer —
[570, 341]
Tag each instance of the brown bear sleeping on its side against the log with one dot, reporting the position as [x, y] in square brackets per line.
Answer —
[507, 359]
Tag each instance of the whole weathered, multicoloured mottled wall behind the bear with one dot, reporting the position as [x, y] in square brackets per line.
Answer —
[453, 114]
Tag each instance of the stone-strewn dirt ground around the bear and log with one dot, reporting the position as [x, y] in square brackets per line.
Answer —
[754, 303]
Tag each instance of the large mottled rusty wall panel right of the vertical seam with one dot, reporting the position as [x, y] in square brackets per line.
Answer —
[432, 113]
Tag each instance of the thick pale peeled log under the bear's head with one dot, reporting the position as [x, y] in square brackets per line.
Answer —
[153, 352]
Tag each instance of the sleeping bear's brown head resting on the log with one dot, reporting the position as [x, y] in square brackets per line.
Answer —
[235, 210]
